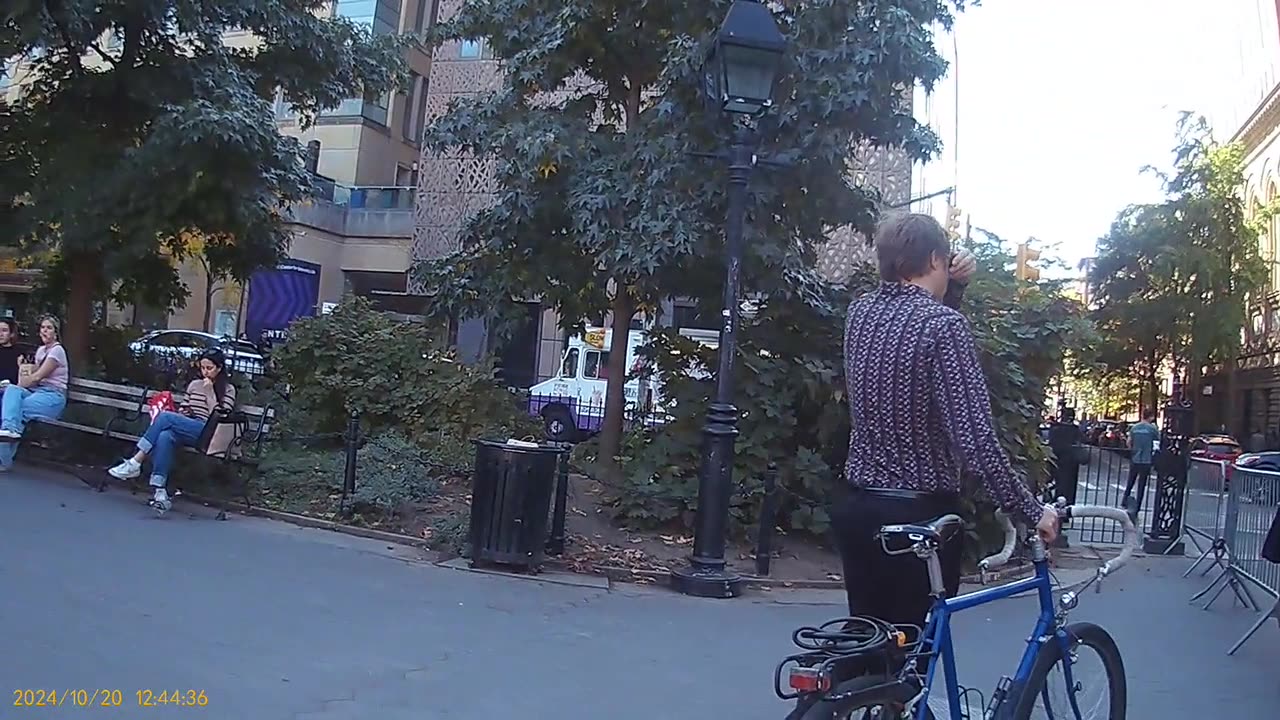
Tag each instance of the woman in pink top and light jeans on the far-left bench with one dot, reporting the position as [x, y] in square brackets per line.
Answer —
[42, 395]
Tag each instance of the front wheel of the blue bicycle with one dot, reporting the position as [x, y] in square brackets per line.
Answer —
[1085, 682]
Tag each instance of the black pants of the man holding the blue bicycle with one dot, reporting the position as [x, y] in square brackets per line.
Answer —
[893, 589]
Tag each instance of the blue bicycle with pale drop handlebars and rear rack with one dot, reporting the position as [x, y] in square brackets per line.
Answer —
[867, 669]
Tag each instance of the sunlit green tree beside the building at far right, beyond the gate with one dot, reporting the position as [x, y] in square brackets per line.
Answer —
[1173, 281]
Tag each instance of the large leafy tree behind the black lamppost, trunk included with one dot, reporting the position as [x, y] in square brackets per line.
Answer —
[602, 204]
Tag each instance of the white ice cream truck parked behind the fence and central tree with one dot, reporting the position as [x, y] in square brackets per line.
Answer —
[573, 403]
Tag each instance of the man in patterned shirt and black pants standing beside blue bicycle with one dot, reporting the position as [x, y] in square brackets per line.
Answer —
[921, 418]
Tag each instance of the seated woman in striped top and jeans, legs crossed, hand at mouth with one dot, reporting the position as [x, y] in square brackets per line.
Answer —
[171, 431]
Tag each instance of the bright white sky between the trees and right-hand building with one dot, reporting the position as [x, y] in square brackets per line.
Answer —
[1062, 103]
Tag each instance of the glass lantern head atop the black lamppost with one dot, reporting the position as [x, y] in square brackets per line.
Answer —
[744, 61]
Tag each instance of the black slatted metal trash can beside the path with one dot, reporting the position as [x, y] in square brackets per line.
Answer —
[511, 496]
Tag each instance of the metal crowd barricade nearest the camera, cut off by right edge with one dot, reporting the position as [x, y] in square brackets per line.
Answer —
[1254, 502]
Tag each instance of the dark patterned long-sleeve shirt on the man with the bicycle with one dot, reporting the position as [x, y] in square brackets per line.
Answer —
[920, 404]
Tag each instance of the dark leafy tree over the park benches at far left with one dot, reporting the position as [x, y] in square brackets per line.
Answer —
[139, 127]
